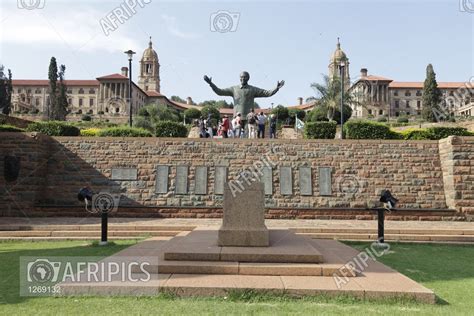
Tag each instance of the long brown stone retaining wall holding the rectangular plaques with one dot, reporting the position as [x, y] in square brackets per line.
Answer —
[417, 172]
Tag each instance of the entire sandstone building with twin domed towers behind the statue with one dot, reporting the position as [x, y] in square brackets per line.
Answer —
[108, 96]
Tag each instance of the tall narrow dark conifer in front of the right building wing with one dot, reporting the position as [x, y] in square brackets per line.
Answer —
[431, 97]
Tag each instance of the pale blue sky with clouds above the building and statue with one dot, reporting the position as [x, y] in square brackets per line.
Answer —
[290, 40]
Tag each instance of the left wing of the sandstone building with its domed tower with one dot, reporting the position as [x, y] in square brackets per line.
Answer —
[106, 96]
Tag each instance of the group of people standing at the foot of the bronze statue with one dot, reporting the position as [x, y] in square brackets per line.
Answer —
[251, 126]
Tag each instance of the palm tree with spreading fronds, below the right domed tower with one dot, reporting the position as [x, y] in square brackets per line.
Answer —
[328, 96]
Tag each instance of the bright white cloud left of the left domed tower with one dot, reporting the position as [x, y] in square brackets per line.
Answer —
[77, 29]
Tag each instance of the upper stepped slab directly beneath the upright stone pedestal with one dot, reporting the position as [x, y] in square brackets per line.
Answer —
[285, 247]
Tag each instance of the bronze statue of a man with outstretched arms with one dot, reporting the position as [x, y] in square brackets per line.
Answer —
[244, 94]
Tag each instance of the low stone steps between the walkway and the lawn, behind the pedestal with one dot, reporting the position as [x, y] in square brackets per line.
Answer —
[130, 231]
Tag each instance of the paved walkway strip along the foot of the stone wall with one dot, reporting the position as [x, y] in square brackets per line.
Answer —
[272, 223]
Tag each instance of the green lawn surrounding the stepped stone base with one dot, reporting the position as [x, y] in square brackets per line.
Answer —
[446, 269]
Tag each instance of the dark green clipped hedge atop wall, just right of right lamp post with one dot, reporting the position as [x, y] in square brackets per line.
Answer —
[358, 129]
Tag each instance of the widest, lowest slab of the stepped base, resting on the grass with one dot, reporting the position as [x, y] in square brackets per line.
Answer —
[375, 281]
